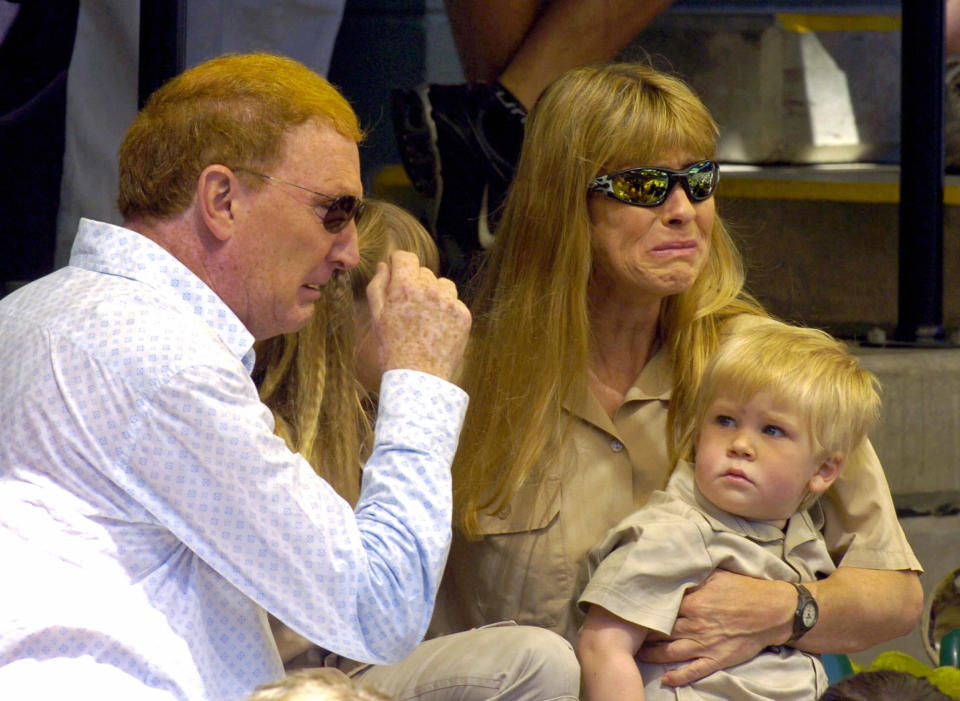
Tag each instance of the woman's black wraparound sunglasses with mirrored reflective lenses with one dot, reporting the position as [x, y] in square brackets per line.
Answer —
[648, 186]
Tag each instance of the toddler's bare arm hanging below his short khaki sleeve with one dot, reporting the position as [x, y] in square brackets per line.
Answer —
[606, 647]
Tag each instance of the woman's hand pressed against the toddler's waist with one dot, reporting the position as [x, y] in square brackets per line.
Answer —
[727, 620]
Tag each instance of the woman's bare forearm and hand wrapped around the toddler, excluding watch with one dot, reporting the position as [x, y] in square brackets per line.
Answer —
[730, 618]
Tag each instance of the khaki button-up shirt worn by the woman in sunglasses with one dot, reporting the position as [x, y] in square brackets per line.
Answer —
[530, 564]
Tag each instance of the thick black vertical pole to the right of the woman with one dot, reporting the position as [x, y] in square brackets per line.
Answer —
[920, 291]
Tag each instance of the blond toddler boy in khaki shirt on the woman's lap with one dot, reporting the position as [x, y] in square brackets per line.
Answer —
[779, 409]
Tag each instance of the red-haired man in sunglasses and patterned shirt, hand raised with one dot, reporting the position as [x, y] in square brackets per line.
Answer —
[147, 510]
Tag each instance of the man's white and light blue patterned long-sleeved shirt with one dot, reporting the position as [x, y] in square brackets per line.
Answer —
[148, 515]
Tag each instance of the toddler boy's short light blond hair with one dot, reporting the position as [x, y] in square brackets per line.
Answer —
[804, 368]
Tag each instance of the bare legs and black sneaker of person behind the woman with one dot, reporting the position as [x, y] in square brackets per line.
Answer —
[460, 143]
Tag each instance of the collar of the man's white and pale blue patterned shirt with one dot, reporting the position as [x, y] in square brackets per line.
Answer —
[114, 250]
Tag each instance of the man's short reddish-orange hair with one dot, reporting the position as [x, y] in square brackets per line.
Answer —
[234, 110]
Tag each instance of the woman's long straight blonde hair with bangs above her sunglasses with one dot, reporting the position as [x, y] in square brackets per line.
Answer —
[530, 347]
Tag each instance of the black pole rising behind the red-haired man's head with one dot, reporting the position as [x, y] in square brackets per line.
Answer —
[161, 44]
